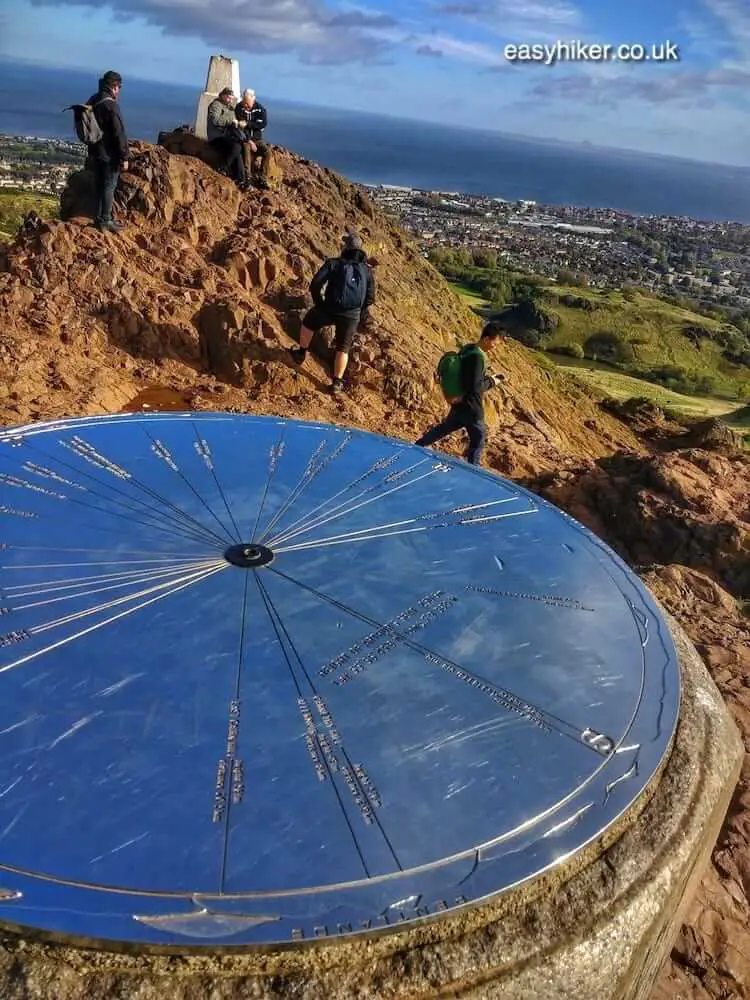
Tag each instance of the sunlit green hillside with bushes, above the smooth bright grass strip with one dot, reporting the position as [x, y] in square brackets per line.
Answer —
[642, 317]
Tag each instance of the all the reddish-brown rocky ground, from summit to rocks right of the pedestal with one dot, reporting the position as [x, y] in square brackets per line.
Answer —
[197, 300]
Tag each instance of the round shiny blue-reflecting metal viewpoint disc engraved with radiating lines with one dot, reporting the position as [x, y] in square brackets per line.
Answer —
[264, 681]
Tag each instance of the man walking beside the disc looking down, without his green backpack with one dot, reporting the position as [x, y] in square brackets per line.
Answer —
[467, 410]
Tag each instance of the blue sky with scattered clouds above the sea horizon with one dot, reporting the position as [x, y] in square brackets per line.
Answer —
[436, 60]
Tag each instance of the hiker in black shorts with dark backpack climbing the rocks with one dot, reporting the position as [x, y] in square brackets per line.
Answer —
[349, 292]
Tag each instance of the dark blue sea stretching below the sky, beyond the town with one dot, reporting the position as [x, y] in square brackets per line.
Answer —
[378, 150]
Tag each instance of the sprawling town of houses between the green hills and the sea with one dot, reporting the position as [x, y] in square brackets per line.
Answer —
[709, 261]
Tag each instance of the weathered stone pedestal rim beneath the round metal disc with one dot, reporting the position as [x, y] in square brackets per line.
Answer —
[599, 926]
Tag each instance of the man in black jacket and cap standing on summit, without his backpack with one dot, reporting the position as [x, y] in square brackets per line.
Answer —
[110, 155]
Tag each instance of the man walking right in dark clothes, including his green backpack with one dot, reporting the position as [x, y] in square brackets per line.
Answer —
[466, 397]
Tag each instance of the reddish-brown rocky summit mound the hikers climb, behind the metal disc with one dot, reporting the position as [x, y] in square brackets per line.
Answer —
[203, 290]
